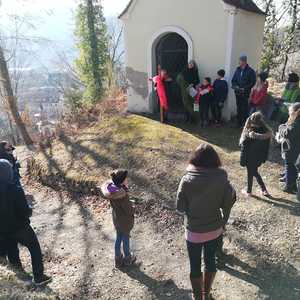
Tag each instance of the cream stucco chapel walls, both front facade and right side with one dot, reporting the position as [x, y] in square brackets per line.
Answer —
[206, 22]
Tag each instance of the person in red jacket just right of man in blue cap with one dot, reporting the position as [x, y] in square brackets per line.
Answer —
[259, 93]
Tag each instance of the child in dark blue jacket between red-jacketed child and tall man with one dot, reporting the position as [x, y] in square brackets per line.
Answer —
[220, 93]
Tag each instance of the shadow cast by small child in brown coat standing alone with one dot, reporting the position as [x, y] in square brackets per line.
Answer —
[163, 290]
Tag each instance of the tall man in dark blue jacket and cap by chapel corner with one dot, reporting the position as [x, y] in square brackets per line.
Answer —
[243, 81]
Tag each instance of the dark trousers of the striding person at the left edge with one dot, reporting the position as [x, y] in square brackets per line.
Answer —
[27, 238]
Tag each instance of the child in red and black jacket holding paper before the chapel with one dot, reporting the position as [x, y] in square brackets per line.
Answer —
[204, 99]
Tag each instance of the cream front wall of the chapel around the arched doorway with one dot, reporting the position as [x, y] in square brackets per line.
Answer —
[205, 22]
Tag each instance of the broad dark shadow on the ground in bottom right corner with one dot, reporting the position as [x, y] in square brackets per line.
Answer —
[275, 280]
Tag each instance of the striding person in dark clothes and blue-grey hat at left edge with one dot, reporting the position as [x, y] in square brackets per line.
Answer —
[15, 224]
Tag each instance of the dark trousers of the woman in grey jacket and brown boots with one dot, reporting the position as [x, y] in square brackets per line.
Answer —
[195, 256]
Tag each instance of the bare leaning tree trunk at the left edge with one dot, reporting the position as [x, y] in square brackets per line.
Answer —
[5, 85]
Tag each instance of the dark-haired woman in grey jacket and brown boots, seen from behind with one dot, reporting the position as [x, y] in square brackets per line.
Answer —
[205, 197]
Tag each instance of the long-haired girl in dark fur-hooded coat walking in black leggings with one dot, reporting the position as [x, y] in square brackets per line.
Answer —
[255, 143]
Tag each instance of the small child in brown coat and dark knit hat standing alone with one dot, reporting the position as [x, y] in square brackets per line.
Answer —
[116, 191]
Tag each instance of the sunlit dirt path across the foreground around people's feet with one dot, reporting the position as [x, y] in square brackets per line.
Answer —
[78, 249]
